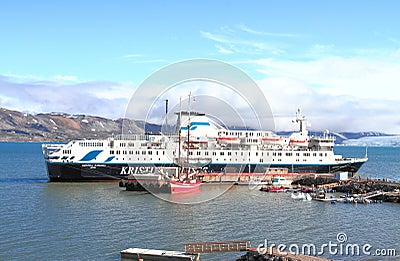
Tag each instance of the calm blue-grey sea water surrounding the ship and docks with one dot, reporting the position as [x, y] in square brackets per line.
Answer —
[95, 221]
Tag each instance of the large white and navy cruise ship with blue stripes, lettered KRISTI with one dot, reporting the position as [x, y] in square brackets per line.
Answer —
[199, 142]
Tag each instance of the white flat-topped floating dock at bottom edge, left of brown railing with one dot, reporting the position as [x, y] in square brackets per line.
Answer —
[141, 254]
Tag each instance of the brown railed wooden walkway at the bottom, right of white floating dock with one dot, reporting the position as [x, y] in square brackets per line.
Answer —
[211, 247]
